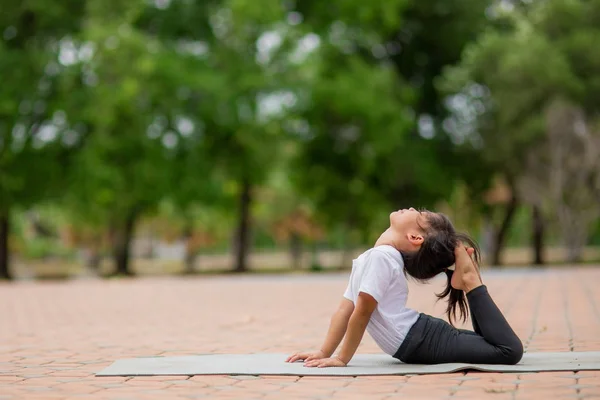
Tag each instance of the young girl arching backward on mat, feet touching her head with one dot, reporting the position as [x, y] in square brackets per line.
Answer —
[421, 245]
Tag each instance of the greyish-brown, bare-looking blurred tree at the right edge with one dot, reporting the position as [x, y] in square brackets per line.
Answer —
[565, 170]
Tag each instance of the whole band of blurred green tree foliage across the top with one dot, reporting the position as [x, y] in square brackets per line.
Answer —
[336, 111]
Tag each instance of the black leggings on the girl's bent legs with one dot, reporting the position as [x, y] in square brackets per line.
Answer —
[434, 341]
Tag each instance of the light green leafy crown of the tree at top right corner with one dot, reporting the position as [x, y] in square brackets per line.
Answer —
[548, 52]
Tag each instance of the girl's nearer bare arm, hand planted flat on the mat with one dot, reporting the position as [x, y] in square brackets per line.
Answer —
[357, 325]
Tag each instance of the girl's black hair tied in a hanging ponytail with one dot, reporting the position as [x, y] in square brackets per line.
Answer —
[436, 255]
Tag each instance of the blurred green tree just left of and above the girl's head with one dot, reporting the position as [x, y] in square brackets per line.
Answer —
[346, 106]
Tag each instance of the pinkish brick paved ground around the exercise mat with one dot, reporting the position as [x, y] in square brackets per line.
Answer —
[54, 336]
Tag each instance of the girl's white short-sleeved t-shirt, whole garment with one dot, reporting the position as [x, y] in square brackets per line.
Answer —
[379, 273]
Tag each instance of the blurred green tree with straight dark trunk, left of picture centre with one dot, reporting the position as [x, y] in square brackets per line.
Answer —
[245, 47]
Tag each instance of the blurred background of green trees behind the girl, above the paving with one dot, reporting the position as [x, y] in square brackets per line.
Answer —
[193, 136]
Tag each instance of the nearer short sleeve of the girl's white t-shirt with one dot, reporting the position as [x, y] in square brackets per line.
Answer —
[379, 274]
